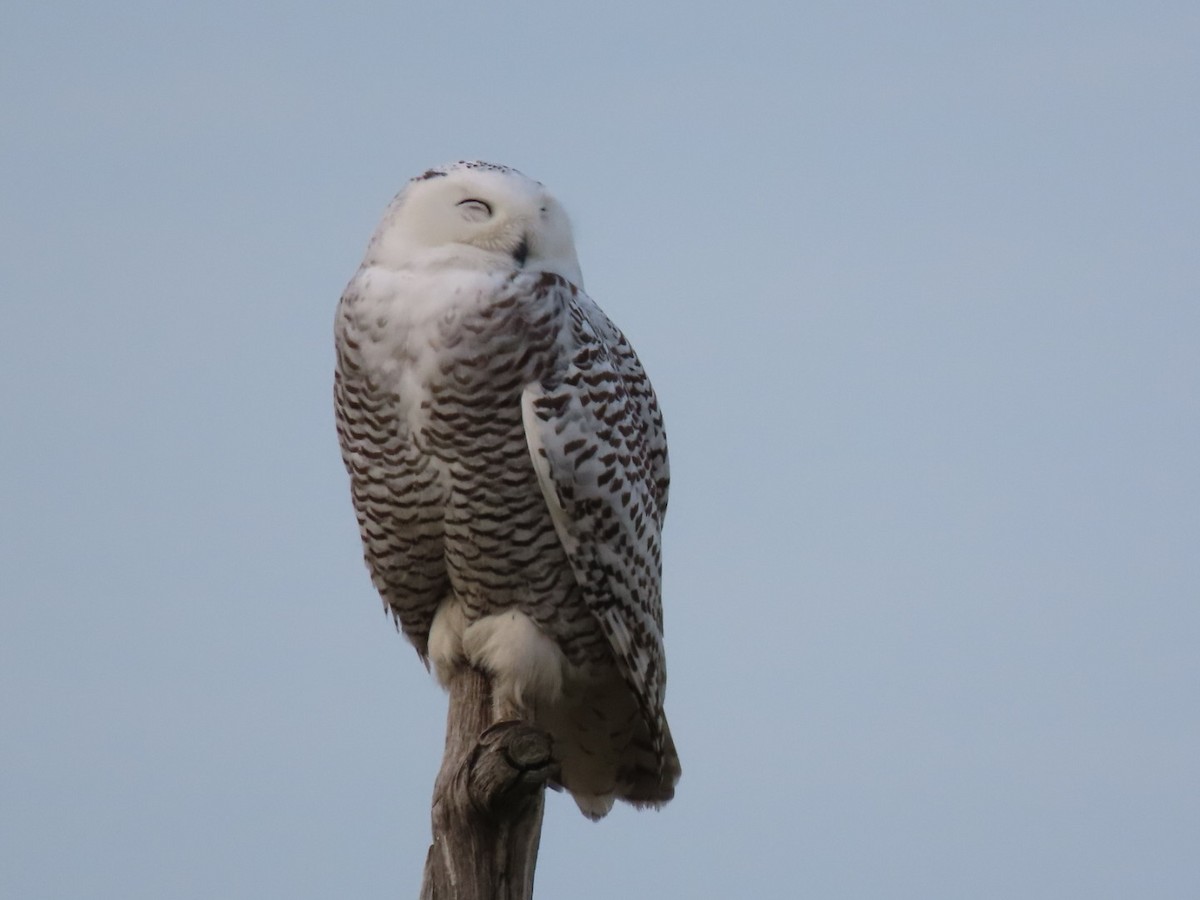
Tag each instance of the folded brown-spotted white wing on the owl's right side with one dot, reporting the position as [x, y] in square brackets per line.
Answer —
[597, 441]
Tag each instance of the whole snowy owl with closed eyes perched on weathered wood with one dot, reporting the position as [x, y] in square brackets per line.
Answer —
[509, 470]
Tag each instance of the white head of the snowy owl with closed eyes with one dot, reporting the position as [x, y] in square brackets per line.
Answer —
[476, 215]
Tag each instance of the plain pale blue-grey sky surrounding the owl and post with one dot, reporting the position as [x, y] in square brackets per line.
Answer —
[919, 286]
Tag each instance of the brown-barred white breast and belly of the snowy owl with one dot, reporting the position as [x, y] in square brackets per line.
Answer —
[445, 466]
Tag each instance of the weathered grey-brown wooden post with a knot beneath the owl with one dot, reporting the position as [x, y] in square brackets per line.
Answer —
[488, 801]
